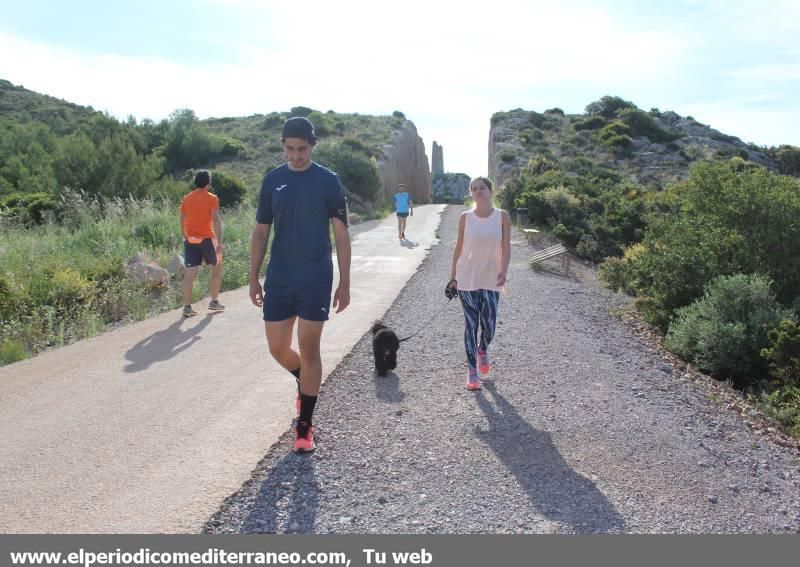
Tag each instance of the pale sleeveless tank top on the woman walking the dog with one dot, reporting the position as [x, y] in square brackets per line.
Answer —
[479, 263]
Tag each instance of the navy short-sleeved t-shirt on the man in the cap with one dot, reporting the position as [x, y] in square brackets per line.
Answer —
[299, 206]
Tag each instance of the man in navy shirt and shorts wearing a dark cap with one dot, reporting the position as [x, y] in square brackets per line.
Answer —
[298, 201]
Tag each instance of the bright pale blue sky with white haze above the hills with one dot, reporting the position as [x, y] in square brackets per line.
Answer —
[446, 65]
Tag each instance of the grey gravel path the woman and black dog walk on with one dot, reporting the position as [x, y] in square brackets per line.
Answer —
[583, 427]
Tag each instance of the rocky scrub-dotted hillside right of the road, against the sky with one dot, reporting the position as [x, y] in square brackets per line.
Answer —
[651, 148]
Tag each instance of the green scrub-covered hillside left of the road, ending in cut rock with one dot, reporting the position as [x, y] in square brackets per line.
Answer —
[245, 147]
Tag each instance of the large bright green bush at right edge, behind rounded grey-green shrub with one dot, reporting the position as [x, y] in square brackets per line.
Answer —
[725, 219]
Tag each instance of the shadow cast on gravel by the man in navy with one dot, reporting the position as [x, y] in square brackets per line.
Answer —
[287, 500]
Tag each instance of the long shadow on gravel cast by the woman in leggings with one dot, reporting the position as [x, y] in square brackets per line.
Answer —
[555, 489]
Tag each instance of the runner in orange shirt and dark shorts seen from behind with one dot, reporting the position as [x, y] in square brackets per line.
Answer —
[202, 240]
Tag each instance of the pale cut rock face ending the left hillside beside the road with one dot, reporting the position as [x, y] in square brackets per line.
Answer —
[404, 161]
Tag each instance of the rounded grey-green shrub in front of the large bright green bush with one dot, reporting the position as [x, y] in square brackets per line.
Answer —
[725, 331]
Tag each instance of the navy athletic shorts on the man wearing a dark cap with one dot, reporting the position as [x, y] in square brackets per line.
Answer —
[311, 302]
